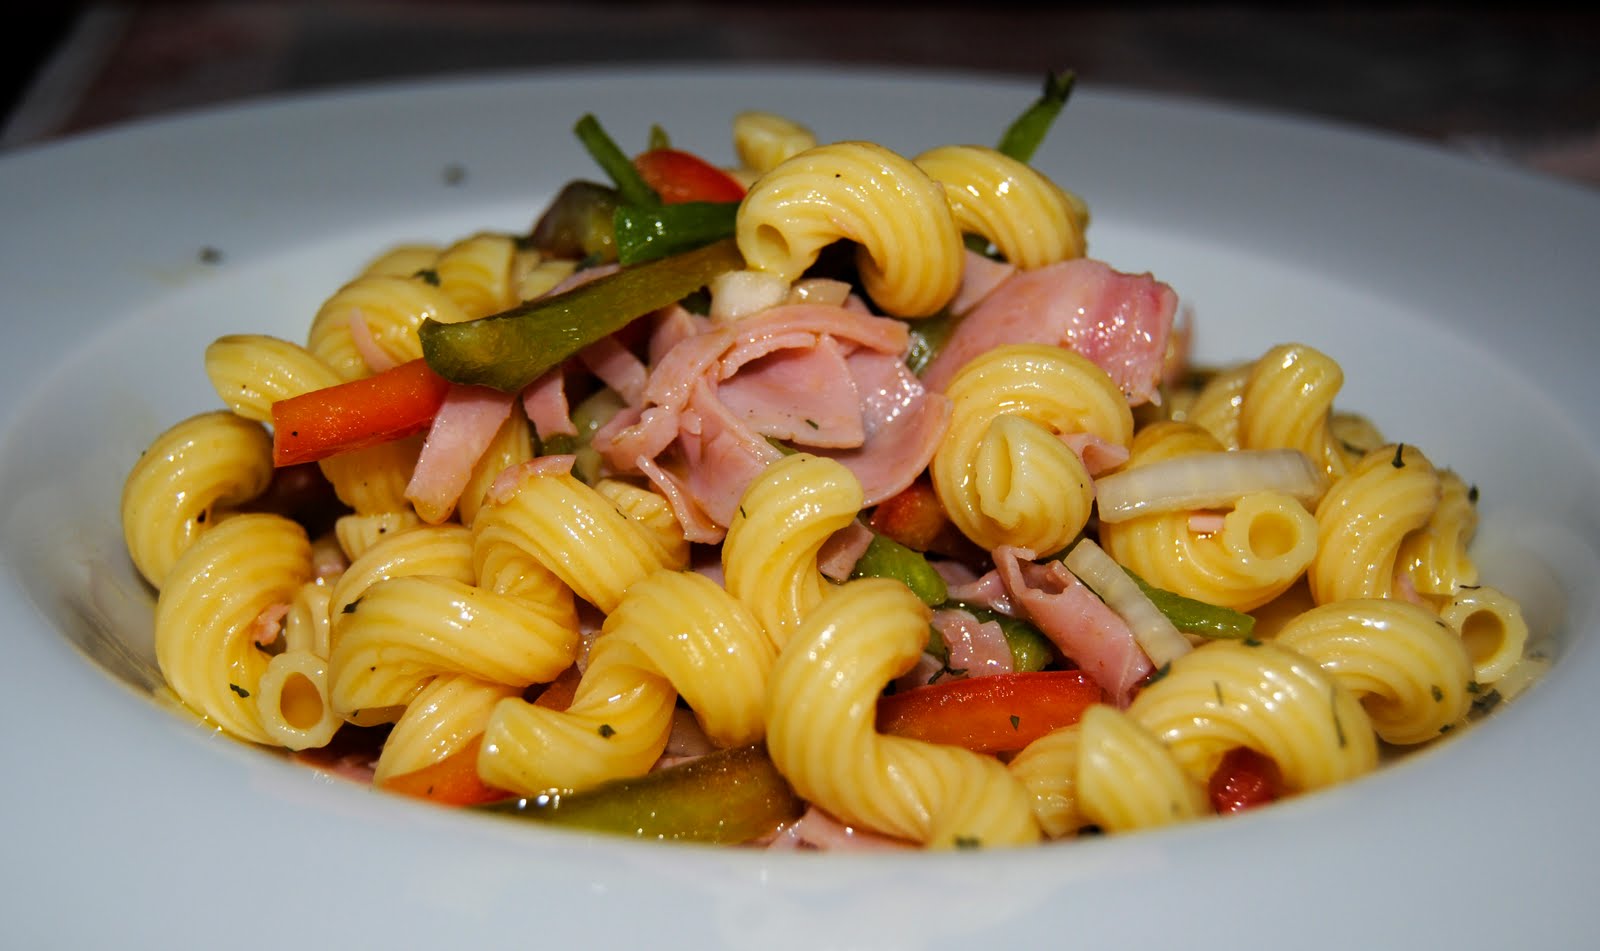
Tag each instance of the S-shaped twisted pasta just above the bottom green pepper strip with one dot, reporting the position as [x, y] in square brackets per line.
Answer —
[674, 633]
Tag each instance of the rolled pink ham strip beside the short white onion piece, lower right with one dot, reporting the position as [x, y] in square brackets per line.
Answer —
[1076, 620]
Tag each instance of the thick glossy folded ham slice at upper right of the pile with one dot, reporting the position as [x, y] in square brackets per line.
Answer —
[1118, 321]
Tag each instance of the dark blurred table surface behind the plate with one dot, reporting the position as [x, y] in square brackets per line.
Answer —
[1514, 82]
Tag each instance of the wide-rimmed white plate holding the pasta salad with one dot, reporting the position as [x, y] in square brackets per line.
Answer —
[1460, 299]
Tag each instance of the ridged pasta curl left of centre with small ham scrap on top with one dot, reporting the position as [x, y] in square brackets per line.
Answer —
[577, 534]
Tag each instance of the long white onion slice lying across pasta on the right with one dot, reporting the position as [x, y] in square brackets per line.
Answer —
[1207, 481]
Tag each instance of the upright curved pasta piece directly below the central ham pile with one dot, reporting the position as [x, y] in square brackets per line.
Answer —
[770, 555]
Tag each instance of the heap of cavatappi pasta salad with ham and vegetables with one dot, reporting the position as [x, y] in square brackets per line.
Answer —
[746, 521]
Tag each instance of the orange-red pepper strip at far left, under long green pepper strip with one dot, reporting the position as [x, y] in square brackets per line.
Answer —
[354, 415]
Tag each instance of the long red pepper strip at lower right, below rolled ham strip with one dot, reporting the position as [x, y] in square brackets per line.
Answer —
[990, 715]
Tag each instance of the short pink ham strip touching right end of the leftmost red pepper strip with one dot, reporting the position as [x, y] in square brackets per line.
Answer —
[463, 430]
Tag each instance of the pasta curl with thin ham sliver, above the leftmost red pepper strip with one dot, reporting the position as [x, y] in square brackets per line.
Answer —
[391, 310]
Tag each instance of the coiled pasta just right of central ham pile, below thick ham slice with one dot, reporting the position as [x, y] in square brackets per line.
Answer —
[1002, 471]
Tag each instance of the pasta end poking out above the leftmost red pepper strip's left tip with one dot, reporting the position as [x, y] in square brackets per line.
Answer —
[254, 371]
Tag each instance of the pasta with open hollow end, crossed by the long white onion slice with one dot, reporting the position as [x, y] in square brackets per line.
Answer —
[1265, 545]
